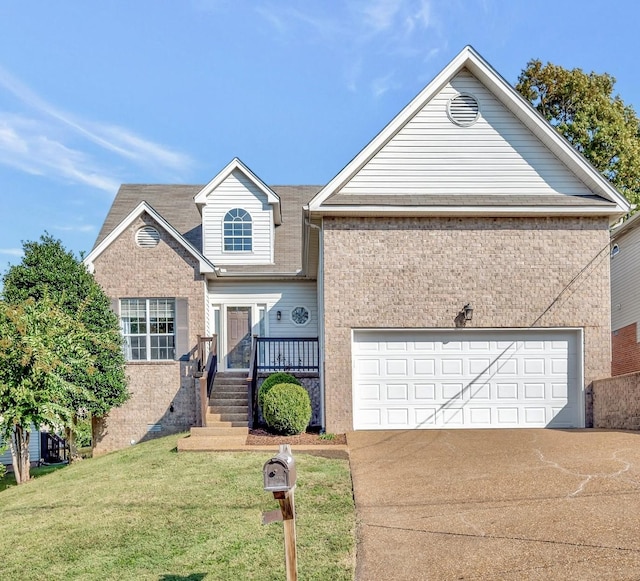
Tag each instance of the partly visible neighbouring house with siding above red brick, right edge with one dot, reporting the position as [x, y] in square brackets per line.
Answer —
[625, 306]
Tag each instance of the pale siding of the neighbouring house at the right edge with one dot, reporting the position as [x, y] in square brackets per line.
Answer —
[625, 281]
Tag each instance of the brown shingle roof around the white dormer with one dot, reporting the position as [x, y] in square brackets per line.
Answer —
[175, 204]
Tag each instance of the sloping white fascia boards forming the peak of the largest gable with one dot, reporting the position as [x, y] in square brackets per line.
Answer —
[505, 93]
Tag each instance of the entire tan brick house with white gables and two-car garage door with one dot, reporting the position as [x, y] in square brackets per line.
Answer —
[454, 274]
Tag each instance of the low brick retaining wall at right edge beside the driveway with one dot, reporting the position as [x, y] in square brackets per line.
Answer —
[616, 402]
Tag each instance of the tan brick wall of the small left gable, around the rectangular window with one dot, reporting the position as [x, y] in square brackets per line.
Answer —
[126, 271]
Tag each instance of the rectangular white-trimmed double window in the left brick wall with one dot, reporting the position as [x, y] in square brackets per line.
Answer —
[149, 329]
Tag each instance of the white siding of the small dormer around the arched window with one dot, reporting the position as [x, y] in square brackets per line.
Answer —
[237, 191]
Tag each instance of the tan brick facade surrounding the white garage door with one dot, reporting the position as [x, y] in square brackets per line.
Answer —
[419, 272]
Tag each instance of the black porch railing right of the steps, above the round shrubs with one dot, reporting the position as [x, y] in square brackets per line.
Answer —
[279, 354]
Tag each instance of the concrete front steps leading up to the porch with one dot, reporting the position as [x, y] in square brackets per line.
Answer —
[226, 419]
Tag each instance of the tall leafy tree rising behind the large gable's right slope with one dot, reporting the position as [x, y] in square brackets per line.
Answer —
[583, 108]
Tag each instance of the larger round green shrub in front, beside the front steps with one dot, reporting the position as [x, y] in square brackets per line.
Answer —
[287, 408]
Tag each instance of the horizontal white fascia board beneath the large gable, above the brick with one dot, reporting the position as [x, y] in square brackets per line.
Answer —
[467, 211]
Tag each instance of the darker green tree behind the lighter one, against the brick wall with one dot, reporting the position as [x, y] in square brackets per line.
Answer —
[48, 269]
